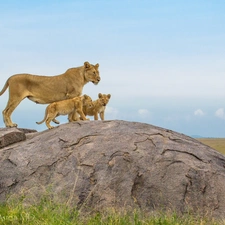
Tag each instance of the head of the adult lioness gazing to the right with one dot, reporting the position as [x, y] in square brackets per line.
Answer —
[91, 73]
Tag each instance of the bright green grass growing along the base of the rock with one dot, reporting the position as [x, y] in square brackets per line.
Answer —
[49, 213]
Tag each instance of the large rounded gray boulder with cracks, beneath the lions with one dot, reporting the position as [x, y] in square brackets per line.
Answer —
[100, 164]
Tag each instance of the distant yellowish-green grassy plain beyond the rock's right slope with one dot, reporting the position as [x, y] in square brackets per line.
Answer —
[215, 143]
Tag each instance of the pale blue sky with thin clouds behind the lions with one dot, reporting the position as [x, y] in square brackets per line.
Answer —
[162, 61]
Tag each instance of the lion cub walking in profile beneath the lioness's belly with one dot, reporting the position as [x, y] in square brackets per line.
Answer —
[65, 107]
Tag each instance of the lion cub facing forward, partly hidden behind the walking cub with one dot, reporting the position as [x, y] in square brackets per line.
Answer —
[98, 107]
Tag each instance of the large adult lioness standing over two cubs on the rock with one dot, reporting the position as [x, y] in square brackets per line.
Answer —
[47, 89]
